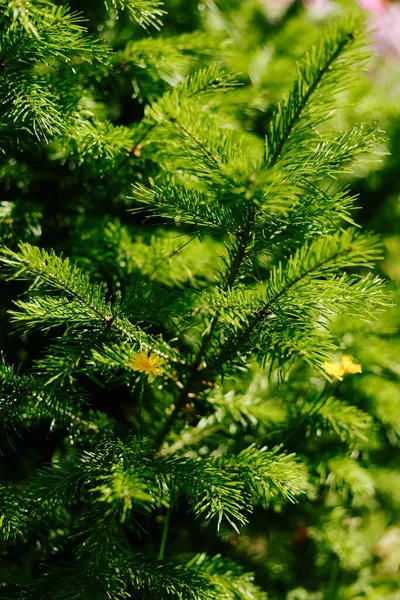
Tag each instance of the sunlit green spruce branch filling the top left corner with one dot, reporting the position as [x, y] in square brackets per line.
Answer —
[37, 40]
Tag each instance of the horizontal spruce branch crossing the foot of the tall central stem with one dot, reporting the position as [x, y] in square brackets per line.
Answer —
[124, 477]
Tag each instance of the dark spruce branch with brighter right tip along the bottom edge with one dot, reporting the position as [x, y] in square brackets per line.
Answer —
[201, 578]
